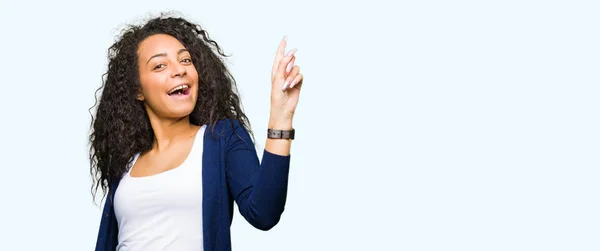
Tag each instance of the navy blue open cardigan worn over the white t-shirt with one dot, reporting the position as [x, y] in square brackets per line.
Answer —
[231, 171]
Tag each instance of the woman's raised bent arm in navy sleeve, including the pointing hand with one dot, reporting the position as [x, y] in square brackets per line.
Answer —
[260, 188]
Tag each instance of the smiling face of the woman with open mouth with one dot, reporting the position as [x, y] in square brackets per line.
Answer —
[169, 80]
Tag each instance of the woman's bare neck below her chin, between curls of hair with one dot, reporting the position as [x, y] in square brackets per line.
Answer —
[167, 131]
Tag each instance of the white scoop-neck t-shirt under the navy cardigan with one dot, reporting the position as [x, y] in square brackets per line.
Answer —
[162, 211]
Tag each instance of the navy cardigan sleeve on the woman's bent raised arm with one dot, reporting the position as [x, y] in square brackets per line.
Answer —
[259, 188]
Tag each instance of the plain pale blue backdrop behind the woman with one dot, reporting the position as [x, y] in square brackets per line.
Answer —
[422, 125]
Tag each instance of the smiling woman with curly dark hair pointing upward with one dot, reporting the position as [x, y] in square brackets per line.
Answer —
[171, 145]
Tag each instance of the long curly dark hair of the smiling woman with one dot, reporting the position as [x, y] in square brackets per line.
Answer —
[121, 127]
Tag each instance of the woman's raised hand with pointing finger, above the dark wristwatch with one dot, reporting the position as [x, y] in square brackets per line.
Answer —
[286, 81]
